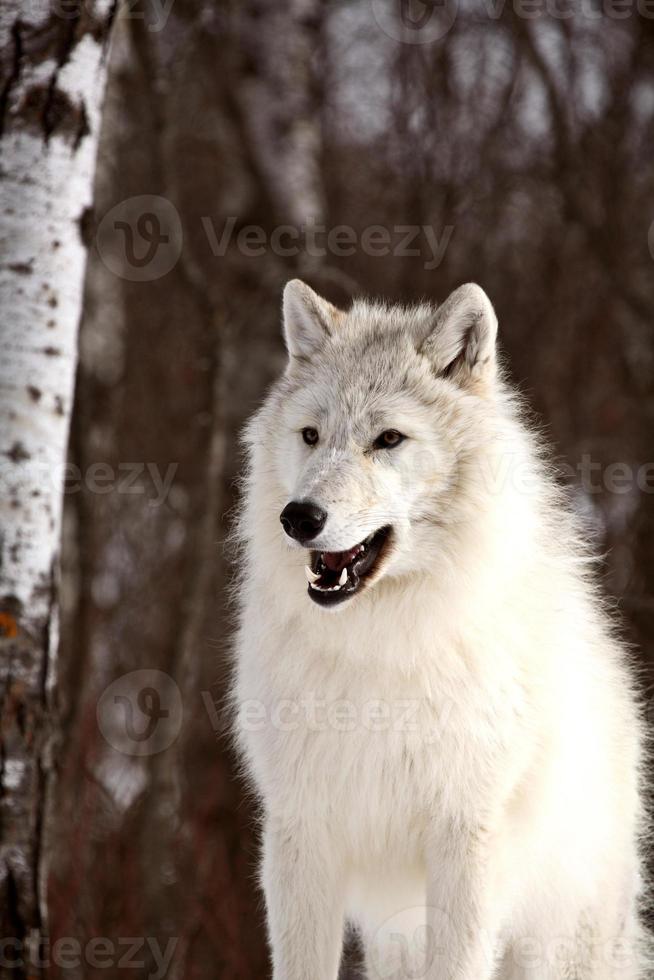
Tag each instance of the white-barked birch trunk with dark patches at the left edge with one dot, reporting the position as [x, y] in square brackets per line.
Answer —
[53, 72]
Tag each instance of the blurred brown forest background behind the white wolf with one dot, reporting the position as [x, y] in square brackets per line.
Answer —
[523, 140]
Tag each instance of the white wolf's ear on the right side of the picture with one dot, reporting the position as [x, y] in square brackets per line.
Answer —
[461, 344]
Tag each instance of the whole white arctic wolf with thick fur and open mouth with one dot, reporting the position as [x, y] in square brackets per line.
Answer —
[440, 722]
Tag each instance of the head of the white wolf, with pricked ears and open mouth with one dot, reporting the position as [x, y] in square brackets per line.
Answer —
[369, 444]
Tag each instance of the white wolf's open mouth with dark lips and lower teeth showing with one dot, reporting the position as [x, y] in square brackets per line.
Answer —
[336, 575]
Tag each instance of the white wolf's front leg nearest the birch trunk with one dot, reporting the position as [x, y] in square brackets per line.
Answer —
[303, 884]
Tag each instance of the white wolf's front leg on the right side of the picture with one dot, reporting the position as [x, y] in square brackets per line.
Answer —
[462, 909]
